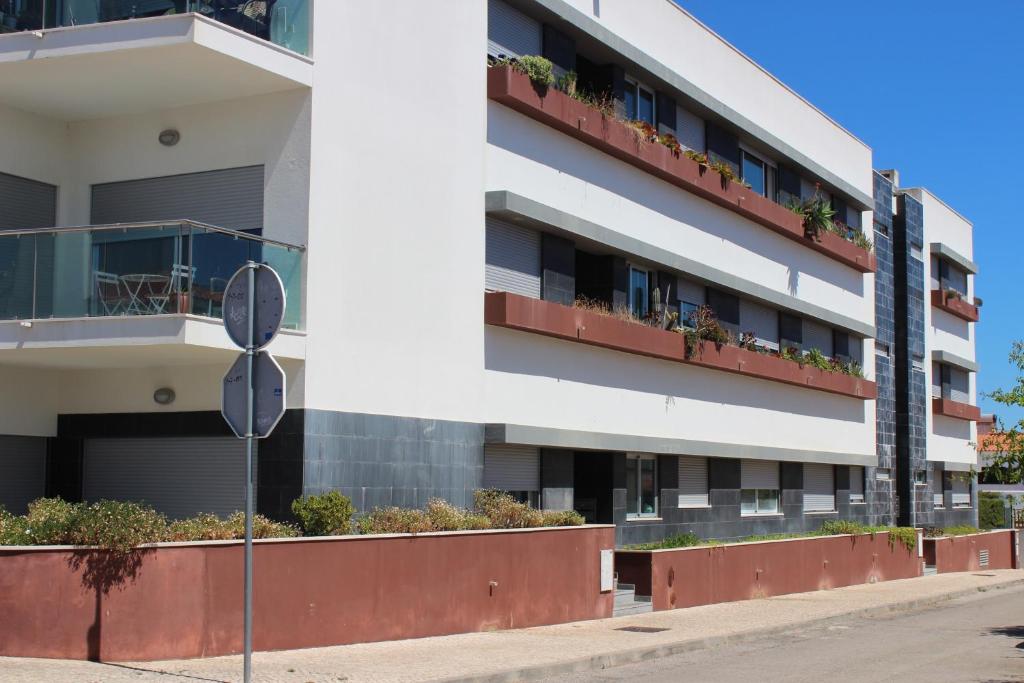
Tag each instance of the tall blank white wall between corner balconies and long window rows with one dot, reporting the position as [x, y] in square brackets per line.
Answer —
[397, 245]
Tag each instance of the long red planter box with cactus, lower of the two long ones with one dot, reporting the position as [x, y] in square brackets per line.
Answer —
[552, 320]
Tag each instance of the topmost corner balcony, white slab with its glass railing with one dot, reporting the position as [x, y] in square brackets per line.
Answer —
[91, 66]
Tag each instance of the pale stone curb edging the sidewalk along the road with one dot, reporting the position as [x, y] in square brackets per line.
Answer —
[635, 655]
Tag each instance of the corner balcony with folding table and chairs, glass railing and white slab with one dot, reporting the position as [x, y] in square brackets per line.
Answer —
[69, 295]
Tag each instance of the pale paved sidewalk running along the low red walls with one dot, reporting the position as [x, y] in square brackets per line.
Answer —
[529, 654]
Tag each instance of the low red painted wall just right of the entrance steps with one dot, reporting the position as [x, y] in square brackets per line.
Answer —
[691, 577]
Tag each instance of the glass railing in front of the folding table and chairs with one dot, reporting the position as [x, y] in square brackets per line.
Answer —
[135, 270]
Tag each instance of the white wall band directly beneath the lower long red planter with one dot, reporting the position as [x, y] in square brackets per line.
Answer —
[533, 380]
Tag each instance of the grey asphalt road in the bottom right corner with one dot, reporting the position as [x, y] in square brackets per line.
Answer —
[980, 638]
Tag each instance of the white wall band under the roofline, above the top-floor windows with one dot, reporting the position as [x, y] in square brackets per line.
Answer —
[670, 35]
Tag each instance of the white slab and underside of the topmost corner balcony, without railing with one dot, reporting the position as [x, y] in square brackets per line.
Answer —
[132, 67]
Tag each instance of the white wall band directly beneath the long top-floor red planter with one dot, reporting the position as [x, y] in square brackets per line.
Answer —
[542, 164]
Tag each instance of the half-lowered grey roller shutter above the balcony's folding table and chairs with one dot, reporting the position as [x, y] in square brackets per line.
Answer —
[231, 198]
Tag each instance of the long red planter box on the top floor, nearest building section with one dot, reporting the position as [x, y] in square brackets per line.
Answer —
[558, 110]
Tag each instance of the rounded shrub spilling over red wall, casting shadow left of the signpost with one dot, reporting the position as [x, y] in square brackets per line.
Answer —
[117, 526]
